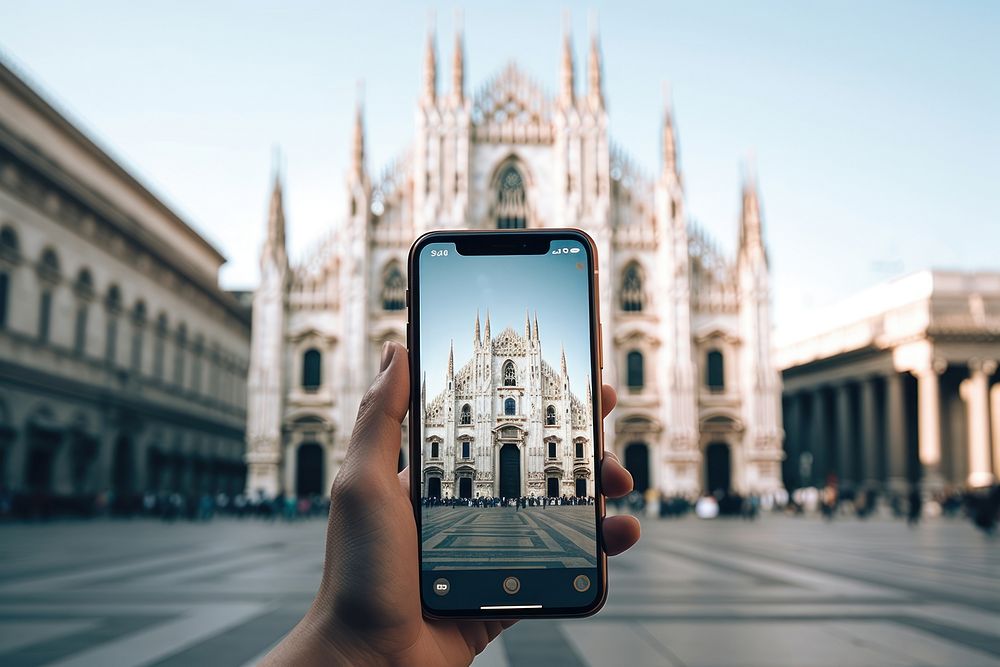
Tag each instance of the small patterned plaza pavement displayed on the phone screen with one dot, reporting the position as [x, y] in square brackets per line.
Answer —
[498, 537]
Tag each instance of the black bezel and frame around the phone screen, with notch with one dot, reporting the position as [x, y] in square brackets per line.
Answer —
[500, 240]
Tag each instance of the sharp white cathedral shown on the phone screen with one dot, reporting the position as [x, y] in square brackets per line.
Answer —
[504, 402]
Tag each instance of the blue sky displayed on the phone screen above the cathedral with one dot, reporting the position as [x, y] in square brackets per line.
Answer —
[454, 287]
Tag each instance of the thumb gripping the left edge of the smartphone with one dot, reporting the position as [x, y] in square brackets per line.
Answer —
[376, 439]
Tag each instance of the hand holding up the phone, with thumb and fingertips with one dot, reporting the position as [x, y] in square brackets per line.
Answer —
[367, 610]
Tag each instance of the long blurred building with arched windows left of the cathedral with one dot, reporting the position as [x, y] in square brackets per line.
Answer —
[122, 363]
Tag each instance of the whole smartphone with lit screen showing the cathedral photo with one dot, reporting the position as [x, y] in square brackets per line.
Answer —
[505, 426]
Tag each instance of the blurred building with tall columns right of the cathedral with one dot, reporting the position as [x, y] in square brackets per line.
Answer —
[897, 385]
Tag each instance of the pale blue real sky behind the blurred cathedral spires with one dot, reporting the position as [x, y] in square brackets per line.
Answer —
[873, 125]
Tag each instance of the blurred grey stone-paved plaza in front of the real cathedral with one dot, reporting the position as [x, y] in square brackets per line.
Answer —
[779, 592]
